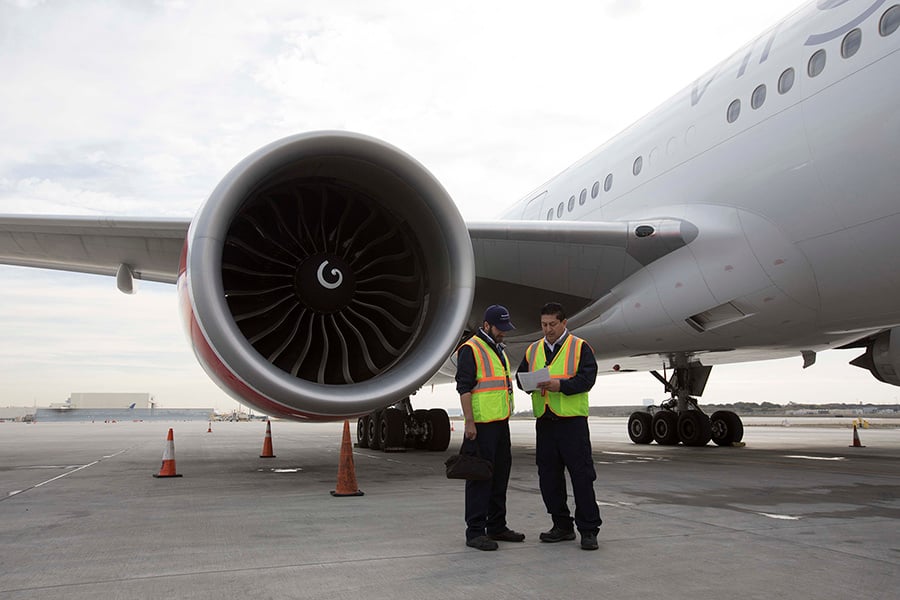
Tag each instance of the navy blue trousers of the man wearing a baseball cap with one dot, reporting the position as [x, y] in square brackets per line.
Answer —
[486, 500]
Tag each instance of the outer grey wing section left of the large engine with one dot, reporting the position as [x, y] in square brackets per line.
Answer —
[149, 248]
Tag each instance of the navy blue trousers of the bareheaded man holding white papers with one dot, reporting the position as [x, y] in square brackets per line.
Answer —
[565, 444]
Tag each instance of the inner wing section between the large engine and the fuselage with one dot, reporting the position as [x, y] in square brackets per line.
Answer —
[524, 264]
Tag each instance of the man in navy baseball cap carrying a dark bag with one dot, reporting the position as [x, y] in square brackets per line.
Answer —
[485, 393]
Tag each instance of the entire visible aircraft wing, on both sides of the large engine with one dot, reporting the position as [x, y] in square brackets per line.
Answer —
[519, 263]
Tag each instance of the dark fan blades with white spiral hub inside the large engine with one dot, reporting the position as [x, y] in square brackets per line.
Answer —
[323, 281]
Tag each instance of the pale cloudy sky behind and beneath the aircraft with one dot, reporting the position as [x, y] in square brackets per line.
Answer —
[139, 108]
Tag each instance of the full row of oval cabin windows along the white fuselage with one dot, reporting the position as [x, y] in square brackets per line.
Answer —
[889, 23]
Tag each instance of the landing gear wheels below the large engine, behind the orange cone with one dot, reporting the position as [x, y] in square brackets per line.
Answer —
[399, 427]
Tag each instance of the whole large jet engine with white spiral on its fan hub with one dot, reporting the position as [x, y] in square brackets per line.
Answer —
[329, 274]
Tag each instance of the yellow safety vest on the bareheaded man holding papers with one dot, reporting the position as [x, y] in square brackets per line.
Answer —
[564, 366]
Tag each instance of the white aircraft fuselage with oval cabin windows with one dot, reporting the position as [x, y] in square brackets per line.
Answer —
[797, 200]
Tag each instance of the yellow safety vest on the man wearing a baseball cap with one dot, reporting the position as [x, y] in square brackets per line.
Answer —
[491, 397]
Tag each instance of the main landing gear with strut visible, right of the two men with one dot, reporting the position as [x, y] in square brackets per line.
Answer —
[679, 419]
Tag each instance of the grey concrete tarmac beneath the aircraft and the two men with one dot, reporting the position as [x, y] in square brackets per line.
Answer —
[797, 513]
